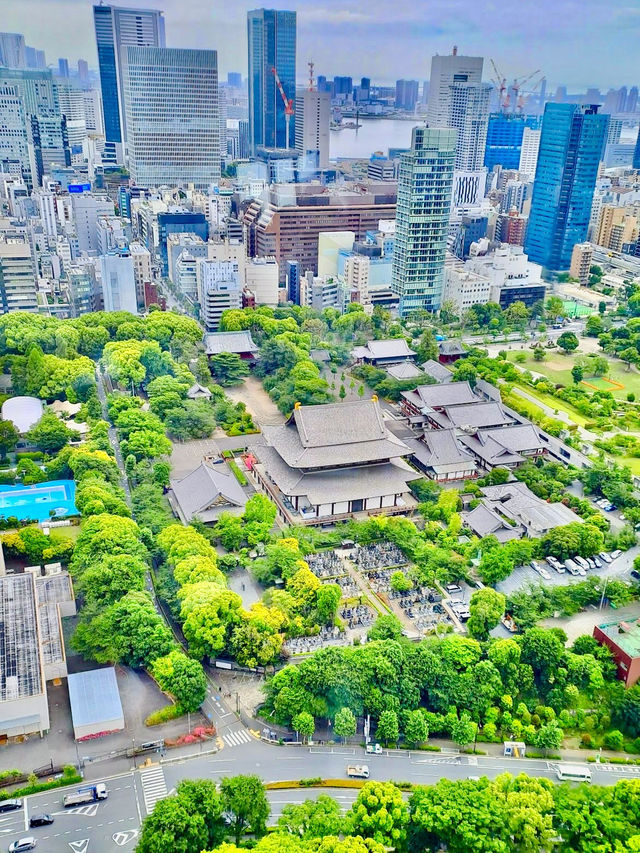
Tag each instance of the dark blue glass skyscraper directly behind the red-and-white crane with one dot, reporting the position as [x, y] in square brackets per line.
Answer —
[272, 45]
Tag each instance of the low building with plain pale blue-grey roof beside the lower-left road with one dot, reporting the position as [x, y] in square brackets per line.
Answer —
[96, 708]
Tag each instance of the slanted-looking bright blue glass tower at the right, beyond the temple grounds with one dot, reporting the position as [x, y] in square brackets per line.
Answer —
[571, 146]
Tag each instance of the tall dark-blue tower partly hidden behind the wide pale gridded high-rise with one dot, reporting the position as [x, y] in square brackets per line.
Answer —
[115, 29]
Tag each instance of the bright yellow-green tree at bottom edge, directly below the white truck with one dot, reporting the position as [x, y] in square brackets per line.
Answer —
[380, 813]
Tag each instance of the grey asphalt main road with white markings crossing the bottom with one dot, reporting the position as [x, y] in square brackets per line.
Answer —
[108, 825]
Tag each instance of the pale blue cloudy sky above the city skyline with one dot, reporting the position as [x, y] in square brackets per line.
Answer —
[577, 43]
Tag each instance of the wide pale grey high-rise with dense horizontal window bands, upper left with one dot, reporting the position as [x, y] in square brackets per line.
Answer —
[171, 108]
